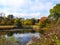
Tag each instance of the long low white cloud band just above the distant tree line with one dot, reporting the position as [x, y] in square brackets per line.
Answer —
[24, 15]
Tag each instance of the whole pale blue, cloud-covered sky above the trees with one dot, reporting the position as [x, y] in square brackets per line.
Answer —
[27, 8]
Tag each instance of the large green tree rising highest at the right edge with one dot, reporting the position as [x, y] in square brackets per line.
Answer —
[55, 12]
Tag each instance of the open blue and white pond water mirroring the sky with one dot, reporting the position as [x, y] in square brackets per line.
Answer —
[23, 38]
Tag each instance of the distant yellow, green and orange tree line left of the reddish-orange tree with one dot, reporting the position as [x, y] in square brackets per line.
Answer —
[11, 20]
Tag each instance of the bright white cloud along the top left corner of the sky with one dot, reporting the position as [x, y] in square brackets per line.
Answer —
[12, 2]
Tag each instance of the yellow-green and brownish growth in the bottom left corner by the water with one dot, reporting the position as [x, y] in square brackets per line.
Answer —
[7, 41]
